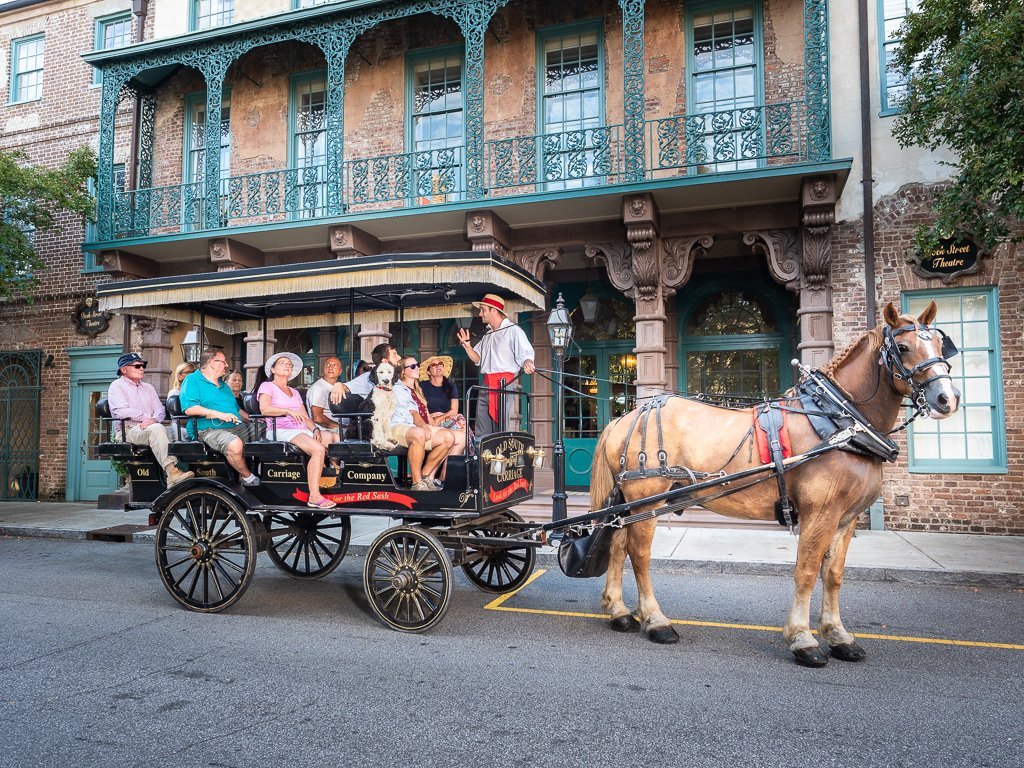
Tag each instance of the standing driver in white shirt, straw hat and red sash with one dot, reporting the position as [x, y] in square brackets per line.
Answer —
[501, 354]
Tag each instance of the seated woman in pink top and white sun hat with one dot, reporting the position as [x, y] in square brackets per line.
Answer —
[294, 425]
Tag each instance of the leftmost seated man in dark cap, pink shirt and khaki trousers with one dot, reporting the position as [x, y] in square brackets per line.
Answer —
[137, 402]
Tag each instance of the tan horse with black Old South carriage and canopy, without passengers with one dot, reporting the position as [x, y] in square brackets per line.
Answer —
[671, 453]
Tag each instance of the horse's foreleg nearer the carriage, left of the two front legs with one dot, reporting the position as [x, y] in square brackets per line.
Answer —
[815, 541]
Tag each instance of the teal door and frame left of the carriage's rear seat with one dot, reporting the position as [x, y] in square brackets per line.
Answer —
[93, 369]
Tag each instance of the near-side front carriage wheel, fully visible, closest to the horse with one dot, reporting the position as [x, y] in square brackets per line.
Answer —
[408, 579]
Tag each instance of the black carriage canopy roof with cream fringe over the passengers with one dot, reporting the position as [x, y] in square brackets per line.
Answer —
[374, 289]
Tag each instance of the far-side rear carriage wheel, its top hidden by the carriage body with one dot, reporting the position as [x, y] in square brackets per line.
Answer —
[314, 545]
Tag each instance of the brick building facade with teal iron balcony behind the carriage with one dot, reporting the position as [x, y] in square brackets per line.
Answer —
[608, 147]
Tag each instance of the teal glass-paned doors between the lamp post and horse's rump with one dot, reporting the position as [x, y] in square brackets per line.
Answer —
[605, 392]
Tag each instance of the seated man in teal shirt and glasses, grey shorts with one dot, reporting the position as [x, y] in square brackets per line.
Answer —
[222, 425]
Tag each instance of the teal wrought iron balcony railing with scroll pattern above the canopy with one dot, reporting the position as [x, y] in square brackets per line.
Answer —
[563, 162]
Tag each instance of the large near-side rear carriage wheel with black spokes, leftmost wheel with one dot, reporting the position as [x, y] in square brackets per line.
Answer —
[206, 550]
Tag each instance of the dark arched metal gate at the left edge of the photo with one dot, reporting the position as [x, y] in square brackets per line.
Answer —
[20, 392]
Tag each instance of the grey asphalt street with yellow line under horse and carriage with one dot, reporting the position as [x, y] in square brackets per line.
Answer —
[99, 667]
